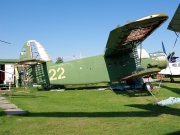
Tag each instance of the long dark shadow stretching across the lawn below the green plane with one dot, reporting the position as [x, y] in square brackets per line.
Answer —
[150, 111]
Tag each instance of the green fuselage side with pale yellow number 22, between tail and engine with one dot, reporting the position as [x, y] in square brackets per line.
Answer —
[90, 70]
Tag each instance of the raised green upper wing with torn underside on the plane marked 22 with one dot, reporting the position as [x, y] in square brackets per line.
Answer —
[122, 38]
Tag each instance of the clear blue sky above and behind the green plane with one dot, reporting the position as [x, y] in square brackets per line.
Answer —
[70, 27]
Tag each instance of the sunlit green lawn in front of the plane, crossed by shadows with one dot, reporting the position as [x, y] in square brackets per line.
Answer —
[93, 112]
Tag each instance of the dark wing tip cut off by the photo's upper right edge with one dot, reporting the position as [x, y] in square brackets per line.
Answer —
[174, 25]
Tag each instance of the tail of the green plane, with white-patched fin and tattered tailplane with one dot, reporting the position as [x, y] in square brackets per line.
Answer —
[32, 63]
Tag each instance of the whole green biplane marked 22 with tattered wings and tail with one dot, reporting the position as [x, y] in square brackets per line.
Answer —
[120, 61]
